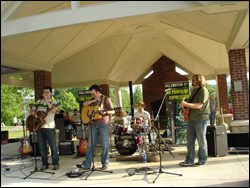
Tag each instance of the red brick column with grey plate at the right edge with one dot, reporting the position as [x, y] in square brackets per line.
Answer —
[239, 84]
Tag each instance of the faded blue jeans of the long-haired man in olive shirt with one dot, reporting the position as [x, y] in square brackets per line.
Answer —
[197, 130]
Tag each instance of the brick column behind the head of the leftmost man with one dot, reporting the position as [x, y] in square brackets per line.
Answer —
[41, 79]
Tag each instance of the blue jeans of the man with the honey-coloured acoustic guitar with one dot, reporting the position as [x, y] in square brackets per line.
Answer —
[103, 131]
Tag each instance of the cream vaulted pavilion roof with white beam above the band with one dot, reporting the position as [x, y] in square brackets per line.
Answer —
[116, 42]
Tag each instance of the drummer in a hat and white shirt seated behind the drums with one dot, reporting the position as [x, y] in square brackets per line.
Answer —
[146, 119]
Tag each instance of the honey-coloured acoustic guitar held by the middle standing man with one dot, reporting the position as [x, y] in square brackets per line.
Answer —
[87, 112]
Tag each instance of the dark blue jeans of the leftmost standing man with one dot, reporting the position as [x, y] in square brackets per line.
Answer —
[43, 136]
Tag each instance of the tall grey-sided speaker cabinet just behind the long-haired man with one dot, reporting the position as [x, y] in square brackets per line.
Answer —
[217, 141]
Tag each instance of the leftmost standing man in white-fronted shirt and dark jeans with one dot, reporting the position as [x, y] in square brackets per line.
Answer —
[47, 133]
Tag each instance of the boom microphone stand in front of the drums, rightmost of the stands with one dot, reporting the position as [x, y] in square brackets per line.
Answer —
[157, 118]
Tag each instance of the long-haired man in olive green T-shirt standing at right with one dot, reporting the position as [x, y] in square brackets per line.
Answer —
[197, 121]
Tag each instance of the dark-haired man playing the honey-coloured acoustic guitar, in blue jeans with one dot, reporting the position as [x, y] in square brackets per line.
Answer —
[98, 127]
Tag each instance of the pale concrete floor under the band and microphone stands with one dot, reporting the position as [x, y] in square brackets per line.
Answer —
[228, 171]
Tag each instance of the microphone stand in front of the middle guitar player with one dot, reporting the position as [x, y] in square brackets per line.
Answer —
[92, 146]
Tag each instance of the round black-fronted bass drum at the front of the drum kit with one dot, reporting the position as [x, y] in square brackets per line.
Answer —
[126, 144]
